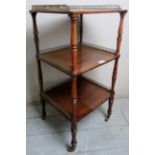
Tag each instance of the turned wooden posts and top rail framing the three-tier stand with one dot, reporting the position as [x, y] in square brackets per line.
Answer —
[74, 45]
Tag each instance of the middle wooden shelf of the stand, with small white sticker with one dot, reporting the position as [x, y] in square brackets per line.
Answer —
[89, 57]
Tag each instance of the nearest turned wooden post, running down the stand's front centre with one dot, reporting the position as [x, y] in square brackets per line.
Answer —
[74, 53]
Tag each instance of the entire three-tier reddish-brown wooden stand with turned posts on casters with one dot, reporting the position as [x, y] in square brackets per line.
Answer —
[70, 98]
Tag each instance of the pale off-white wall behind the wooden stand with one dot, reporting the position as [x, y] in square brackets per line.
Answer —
[54, 30]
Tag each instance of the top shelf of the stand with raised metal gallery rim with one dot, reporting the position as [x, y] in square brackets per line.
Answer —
[87, 9]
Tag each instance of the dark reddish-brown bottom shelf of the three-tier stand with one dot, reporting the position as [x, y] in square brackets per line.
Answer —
[90, 96]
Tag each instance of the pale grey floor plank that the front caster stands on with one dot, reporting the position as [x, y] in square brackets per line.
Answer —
[88, 140]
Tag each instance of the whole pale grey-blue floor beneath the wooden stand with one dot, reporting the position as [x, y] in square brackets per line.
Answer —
[95, 136]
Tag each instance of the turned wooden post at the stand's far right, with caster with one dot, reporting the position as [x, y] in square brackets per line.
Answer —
[115, 70]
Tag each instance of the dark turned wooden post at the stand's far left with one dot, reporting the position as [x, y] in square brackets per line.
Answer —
[40, 78]
